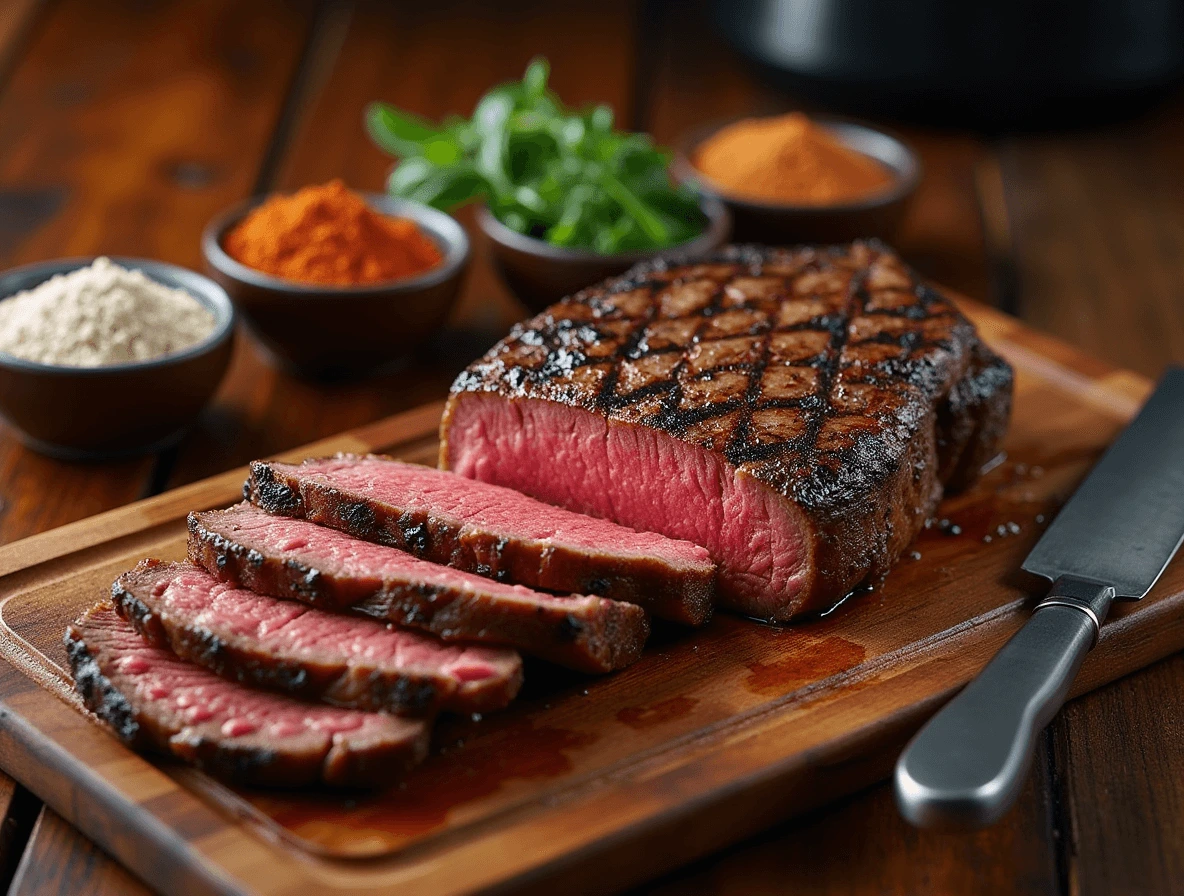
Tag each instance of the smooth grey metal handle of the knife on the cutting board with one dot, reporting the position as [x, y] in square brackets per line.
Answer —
[967, 766]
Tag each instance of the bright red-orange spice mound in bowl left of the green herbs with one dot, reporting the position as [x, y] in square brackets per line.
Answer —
[329, 235]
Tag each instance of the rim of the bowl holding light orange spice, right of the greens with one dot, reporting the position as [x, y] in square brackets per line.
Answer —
[905, 182]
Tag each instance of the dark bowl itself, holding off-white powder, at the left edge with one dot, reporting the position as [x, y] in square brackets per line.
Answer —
[121, 410]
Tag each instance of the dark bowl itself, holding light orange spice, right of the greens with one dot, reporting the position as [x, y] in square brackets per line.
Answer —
[878, 216]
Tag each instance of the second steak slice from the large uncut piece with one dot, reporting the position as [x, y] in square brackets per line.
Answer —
[323, 568]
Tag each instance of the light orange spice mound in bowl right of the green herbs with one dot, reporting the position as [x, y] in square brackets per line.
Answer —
[789, 159]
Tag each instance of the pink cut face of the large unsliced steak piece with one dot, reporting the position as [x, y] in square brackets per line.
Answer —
[642, 479]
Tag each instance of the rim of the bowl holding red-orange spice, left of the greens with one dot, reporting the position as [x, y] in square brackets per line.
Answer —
[446, 231]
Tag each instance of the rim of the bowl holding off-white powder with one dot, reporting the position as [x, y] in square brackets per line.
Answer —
[204, 291]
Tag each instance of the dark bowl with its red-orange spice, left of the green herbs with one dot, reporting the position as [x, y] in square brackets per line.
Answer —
[334, 282]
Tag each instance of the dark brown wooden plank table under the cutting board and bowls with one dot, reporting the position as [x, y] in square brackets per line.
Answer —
[126, 126]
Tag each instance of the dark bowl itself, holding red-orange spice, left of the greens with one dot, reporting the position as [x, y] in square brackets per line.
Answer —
[327, 332]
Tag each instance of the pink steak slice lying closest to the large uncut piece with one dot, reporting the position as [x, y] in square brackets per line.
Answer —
[490, 531]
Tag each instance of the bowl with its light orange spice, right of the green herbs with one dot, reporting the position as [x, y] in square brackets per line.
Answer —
[792, 178]
